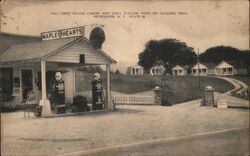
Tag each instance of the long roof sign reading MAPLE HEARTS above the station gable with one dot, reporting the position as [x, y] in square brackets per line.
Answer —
[63, 33]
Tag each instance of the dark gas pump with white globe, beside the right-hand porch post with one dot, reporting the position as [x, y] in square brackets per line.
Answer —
[97, 93]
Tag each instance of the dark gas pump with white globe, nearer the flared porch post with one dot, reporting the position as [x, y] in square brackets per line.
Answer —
[59, 93]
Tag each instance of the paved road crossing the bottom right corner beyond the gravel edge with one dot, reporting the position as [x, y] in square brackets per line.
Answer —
[226, 142]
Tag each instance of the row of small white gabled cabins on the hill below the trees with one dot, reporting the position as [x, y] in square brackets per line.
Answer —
[203, 69]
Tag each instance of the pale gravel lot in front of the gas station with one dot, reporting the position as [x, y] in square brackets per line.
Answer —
[129, 124]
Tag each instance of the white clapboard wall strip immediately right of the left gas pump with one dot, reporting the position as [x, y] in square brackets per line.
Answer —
[68, 78]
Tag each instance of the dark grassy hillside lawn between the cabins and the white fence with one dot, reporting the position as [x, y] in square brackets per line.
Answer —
[176, 89]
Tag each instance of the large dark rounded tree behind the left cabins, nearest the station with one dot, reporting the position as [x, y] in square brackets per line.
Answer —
[168, 51]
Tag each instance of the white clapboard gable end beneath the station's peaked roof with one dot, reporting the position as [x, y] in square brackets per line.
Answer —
[72, 54]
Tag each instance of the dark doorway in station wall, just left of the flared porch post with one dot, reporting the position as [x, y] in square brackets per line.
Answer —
[27, 82]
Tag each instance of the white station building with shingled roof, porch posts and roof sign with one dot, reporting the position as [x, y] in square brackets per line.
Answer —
[34, 64]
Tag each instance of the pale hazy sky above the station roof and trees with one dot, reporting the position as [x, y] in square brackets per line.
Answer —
[202, 24]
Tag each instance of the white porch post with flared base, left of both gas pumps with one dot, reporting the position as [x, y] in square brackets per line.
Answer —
[46, 110]
